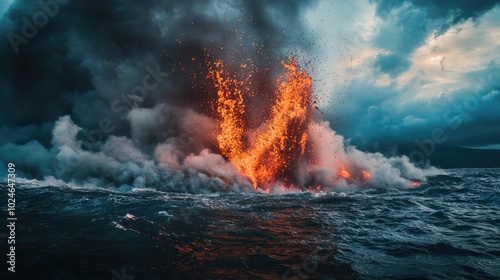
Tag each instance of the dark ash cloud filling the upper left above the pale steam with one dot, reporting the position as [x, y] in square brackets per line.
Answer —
[91, 52]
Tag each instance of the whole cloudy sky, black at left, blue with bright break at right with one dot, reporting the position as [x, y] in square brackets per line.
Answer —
[385, 72]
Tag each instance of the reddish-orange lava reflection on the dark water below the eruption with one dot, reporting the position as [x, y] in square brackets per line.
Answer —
[259, 243]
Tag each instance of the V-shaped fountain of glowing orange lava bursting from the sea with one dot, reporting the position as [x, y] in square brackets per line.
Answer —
[275, 147]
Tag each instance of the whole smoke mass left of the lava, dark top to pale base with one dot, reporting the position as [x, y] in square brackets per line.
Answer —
[73, 113]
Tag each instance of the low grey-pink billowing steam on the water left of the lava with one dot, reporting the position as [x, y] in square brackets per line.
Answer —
[180, 163]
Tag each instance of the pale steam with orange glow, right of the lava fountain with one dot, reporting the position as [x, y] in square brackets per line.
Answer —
[332, 154]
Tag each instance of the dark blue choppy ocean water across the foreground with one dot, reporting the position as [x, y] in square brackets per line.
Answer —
[448, 228]
